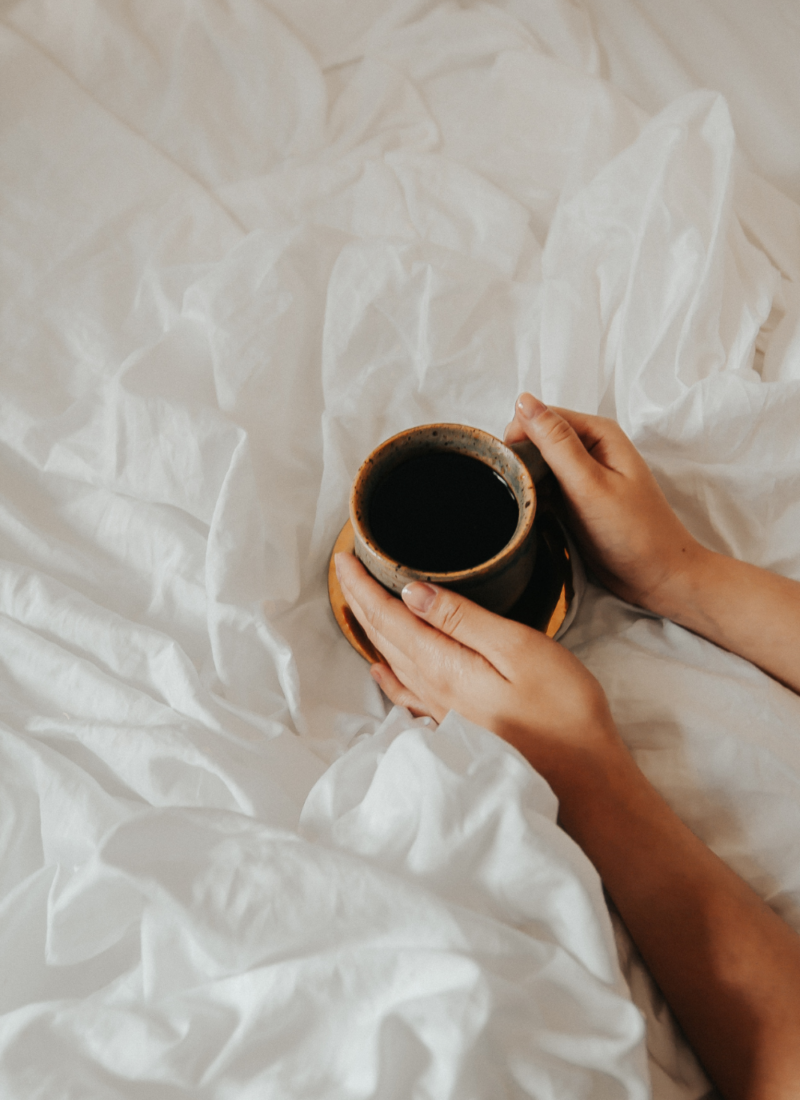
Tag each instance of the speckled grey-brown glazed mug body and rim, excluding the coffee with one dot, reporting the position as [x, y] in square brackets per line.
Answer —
[500, 581]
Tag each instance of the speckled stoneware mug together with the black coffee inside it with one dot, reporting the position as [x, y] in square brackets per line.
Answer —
[453, 505]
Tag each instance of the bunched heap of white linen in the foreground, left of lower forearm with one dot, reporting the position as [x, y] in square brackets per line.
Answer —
[425, 929]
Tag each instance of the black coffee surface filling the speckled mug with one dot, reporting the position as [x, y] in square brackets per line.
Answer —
[443, 512]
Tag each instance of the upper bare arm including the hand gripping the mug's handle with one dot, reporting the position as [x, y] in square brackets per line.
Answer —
[641, 551]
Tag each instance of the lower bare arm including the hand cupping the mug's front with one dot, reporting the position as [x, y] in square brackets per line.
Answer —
[728, 965]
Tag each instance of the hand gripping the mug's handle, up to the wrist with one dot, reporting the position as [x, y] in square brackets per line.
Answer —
[630, 536]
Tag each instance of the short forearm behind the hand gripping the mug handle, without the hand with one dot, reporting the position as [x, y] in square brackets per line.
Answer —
[746, 610]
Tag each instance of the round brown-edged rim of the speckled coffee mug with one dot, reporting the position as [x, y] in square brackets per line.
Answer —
[418, 435]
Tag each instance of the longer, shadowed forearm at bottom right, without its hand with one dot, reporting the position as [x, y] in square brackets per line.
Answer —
[728, 965]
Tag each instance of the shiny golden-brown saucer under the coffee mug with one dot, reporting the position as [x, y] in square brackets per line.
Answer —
[544, 606]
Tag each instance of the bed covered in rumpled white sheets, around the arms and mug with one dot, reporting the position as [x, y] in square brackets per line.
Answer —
[240, 245]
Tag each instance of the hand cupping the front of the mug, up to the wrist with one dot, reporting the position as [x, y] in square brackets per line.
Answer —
[445, 653]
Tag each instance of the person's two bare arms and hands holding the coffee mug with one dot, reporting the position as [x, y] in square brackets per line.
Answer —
[728, 965]
